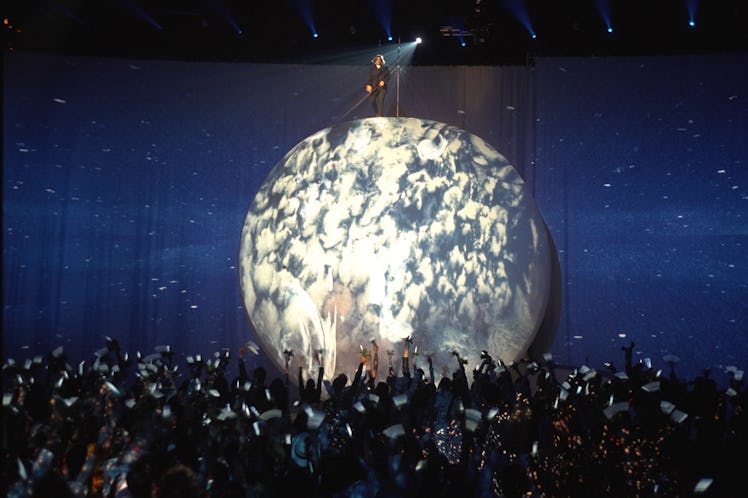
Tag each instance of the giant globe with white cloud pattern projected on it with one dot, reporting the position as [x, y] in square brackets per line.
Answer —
[389, 228]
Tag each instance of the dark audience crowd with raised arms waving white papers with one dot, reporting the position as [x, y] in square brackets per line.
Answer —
[164, 425]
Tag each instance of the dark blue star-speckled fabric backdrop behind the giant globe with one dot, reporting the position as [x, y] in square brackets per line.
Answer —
[126, 183]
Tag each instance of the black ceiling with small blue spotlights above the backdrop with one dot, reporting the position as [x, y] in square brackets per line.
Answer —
[275, 30]
